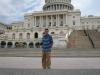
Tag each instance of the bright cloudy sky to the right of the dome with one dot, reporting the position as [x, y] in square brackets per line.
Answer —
[87, 7]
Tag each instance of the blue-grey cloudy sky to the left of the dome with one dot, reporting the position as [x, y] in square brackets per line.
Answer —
[11, 10]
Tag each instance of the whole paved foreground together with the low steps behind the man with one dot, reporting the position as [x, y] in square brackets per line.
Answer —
[64, 62]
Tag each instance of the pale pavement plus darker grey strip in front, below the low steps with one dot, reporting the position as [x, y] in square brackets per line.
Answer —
[60, 66]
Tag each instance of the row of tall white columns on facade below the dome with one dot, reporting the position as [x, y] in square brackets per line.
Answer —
[57, 20]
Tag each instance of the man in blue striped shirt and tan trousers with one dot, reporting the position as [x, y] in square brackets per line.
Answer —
[47, 43]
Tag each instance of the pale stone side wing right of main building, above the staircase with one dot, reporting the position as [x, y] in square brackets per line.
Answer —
[90, 22]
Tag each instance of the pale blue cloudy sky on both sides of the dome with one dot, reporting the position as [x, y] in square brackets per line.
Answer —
[14, 10]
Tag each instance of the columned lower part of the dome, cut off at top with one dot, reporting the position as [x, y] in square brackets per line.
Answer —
[57, 5]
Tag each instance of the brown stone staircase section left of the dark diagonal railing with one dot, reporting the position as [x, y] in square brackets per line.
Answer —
[78, 39]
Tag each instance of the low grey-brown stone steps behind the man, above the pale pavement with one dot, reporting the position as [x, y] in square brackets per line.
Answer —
[55, 53]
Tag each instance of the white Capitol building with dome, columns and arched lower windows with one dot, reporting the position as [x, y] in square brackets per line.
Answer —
[58, 15]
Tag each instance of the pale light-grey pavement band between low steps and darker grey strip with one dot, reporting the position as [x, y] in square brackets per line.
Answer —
[57, 63]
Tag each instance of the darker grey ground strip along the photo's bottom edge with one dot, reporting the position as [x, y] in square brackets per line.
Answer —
[49, 72]
